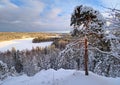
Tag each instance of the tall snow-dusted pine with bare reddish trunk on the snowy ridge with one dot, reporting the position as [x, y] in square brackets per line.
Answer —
[92, 23]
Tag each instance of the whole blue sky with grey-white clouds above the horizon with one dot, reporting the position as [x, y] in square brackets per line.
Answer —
[44, 15]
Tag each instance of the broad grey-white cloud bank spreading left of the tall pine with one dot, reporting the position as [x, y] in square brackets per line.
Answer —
[27, 17]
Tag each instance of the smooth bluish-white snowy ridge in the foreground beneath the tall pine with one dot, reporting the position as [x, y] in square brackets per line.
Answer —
[61, 77]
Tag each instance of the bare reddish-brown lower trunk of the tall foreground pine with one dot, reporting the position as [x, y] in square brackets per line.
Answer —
[86, 57]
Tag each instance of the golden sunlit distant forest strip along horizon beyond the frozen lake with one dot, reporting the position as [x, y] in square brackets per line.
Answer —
[5, 36]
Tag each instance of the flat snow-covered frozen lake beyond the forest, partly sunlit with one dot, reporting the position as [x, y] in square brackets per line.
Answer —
[21, 44]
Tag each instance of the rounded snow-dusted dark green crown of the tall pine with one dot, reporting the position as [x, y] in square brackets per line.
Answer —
[97, 21]
